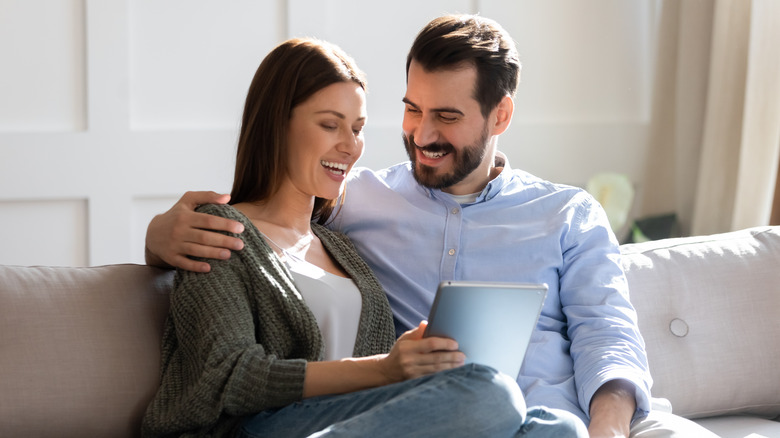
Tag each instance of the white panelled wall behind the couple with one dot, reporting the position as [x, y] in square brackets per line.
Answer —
[111, 109]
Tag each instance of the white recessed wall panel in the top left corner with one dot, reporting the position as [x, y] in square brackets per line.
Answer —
[43, 77]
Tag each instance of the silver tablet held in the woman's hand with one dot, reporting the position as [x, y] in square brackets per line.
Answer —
[492, 322]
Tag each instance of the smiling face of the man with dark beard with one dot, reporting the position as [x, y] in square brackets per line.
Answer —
[445, 134]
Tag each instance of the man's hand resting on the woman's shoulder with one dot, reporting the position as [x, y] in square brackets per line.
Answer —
[182, 232]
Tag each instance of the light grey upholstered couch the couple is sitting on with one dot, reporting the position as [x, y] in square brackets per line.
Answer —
[79, 347]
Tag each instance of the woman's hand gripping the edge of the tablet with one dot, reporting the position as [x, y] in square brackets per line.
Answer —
[413, 356]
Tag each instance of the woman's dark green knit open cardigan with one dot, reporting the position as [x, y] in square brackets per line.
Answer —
[237, 339]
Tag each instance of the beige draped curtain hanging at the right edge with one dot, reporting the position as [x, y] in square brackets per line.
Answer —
[714, 135]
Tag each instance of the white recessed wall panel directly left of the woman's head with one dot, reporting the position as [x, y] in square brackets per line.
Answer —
[195, 77]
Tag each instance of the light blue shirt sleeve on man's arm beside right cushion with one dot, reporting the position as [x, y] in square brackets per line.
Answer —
[602, 324]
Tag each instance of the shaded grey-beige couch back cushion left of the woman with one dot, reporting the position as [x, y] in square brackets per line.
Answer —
[79, 348]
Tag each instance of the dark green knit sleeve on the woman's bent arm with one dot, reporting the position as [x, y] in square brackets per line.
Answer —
[216, 336]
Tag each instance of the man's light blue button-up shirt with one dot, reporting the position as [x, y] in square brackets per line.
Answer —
[519, 229]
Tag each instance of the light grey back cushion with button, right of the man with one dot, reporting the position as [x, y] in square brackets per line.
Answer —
[709, 310]
